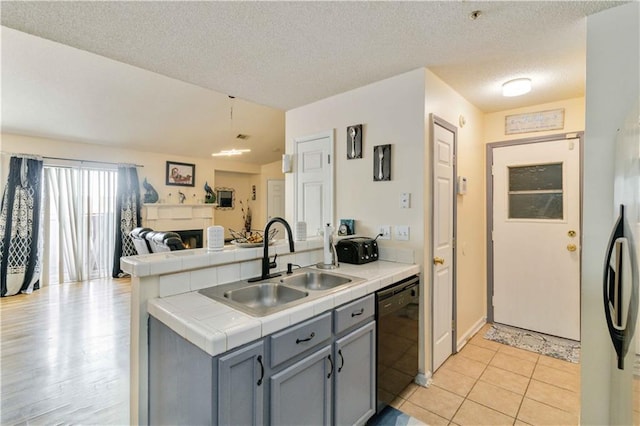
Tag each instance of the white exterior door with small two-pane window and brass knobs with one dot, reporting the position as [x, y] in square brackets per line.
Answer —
[536, 224]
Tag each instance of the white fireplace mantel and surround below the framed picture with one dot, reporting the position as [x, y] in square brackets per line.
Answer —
[178, 217]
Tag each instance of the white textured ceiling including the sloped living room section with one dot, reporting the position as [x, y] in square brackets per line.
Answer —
[273, 56]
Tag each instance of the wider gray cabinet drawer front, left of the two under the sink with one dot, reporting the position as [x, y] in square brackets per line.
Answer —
[296, 340]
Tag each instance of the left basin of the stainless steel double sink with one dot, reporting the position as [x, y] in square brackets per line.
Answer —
[265, 295]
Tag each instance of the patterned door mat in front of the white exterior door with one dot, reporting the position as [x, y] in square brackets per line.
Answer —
[556, 347]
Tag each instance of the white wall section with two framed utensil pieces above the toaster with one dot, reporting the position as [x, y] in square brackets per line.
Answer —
[391, 112]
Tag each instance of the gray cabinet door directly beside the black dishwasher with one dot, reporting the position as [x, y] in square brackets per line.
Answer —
[355, 356]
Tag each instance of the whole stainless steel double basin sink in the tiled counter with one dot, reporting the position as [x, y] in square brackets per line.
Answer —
[278, 293]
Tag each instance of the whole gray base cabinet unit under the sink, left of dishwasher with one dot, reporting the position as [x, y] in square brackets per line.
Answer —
[318, 372]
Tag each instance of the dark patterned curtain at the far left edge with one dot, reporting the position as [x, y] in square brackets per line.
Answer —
[20, 227]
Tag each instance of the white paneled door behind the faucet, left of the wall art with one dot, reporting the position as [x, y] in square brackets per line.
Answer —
[314, 181]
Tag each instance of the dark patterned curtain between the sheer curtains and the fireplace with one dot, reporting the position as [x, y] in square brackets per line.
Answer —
[128, 216]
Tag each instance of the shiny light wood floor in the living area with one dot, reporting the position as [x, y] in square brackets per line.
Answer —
[64, 354]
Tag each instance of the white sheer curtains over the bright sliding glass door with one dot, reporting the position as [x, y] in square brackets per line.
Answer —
[80, 215]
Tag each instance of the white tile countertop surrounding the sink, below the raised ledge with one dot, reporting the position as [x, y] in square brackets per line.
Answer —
[216, 328]
